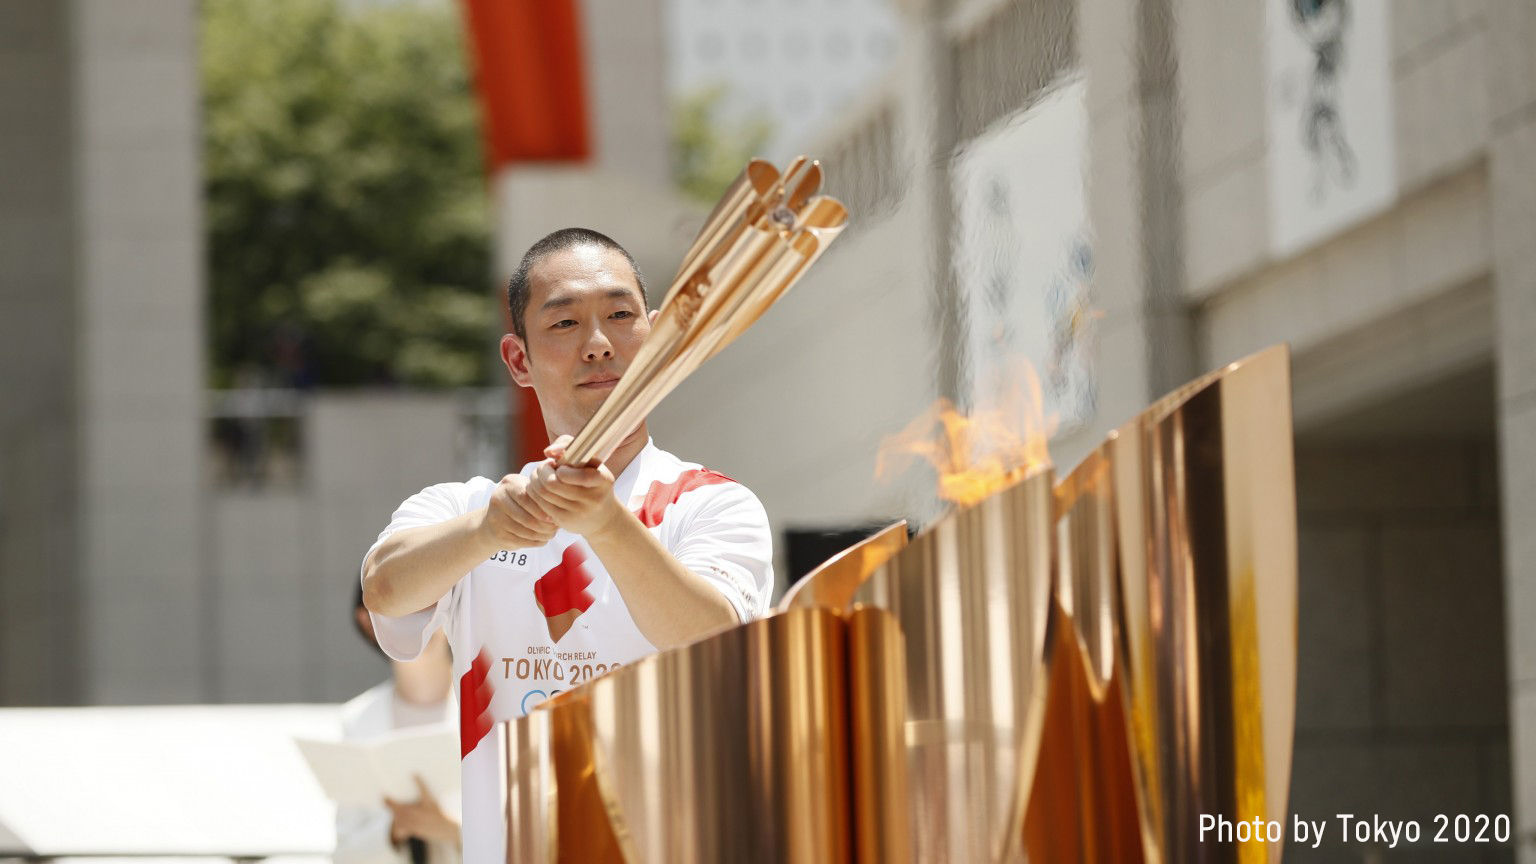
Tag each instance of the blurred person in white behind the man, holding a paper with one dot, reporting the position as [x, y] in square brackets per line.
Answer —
[417, 694]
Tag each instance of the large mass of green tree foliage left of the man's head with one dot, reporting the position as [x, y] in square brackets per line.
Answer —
[346, 201]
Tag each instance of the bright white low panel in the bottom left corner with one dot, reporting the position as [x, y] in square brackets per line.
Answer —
[194, 780]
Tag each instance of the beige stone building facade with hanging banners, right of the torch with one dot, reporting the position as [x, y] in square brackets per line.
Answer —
[1194, 228]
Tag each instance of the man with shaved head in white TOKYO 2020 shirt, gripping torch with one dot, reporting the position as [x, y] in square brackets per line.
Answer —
[554, 576]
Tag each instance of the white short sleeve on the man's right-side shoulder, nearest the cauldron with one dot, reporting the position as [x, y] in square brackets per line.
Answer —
[727, 542]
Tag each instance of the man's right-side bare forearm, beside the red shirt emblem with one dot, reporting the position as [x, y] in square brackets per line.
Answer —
[670, 603]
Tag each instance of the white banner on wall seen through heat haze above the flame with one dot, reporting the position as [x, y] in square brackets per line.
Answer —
[1024, 258]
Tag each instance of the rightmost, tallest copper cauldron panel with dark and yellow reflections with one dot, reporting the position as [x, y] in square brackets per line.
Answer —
[1177, 579]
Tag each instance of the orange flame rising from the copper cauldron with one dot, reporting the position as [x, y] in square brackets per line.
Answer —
[981, 453]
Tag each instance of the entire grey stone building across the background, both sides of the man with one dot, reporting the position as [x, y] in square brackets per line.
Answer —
[1182, 182]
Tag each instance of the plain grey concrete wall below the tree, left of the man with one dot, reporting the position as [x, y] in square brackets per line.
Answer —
[285, 563]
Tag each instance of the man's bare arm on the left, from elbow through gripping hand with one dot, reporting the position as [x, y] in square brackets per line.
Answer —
[414, 568]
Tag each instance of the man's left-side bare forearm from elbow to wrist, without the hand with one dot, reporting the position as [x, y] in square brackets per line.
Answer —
[414, 568]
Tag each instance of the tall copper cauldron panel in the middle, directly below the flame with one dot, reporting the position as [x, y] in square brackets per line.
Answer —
[970, 597]
